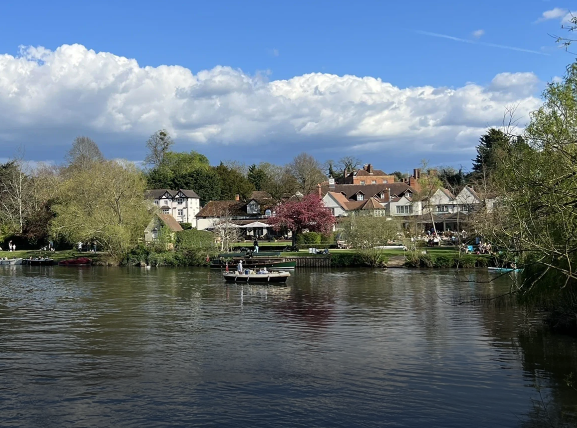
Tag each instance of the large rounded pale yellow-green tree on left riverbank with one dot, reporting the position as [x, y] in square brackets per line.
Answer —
[104, 203]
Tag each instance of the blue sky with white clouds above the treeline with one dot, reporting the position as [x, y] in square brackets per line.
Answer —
[392, 83]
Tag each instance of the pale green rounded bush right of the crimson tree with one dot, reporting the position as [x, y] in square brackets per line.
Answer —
[366, 232]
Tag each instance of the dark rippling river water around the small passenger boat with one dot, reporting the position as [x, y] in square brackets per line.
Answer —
[177, 347]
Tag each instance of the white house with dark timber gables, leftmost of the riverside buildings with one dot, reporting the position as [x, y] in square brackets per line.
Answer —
[181, 204]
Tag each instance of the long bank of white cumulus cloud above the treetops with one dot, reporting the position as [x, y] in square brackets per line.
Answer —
[73, 90]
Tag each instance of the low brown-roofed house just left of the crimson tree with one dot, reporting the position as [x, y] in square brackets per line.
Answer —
[237, 213]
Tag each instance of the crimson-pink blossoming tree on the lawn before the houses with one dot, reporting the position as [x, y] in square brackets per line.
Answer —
[308, 213]
